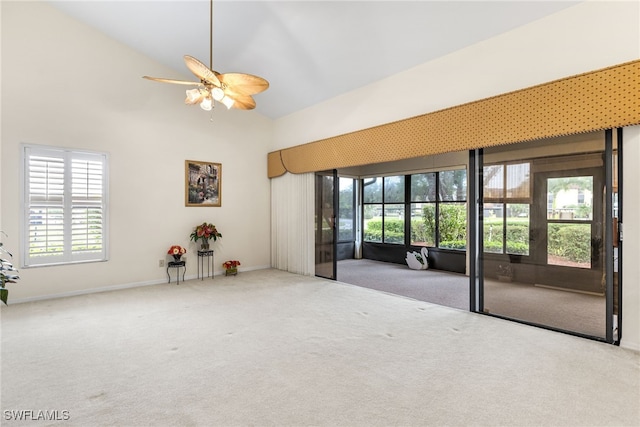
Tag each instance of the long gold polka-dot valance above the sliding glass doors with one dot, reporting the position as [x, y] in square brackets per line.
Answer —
[597, 100]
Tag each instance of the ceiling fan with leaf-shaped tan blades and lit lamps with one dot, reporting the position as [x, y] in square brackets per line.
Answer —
[234, 90]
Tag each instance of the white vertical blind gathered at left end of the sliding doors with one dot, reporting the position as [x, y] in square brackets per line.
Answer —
[292, 214]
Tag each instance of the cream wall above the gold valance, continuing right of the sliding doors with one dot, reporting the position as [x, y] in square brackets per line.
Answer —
[586, 37]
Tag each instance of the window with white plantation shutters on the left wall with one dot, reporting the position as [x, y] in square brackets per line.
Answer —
[65, 193]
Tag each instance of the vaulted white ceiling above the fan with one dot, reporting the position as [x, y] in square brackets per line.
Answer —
[309, 51]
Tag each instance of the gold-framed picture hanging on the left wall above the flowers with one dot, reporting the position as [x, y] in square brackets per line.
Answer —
[203, 184]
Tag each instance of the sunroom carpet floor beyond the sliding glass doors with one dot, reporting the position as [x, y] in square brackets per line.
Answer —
[570, 311]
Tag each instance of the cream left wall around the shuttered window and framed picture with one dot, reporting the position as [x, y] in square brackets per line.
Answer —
[64, 84]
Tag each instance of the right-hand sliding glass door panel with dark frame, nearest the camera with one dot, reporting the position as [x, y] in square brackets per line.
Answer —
[544, 226]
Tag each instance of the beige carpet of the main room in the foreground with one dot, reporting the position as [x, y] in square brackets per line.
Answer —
[273, 348]
